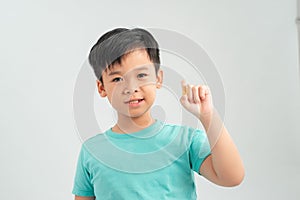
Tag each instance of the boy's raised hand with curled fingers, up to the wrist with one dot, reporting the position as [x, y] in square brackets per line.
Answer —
[197, 100]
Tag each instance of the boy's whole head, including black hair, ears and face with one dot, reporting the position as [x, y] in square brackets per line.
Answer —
[126, 64]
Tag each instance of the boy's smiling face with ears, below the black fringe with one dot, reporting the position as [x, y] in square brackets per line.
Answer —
[131, 86]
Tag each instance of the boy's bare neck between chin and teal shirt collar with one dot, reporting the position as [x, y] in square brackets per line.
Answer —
[132, 124]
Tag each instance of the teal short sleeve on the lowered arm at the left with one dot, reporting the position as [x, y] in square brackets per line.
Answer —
[82, 181]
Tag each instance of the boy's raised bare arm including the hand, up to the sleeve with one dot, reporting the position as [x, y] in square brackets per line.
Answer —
[224, 166]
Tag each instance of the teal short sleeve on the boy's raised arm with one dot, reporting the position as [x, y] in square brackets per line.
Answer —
[199, 149]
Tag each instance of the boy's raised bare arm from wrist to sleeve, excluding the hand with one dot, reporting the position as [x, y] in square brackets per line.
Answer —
[224, 166]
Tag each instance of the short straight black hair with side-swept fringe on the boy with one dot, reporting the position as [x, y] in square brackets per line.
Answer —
[115, 44]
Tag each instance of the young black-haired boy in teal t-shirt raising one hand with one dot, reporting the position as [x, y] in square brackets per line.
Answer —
[141, 157]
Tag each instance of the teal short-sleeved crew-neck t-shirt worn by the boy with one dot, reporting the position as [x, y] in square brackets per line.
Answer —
[154, 163]
